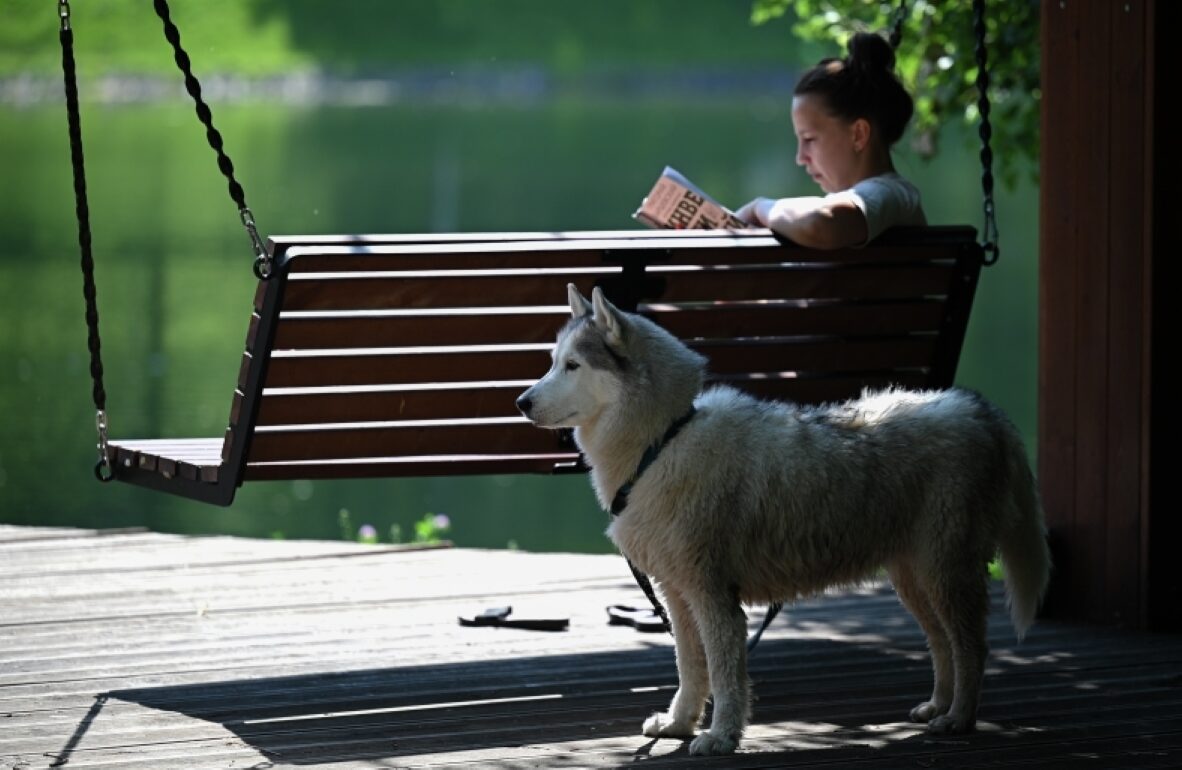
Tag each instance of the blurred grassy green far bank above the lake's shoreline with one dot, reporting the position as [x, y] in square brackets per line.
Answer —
[356, 37]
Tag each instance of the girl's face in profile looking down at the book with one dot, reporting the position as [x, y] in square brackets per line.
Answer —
[828, 147]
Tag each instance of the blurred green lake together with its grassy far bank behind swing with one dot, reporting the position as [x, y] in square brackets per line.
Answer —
[427, 118]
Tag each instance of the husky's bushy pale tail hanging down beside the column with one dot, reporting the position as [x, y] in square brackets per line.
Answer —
[1025, 554]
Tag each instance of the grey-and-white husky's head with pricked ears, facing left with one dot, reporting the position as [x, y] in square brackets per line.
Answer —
[588, 359]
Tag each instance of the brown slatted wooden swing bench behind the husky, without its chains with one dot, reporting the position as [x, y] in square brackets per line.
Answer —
[402, 355]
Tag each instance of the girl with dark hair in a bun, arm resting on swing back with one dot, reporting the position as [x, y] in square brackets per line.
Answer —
[847, 115]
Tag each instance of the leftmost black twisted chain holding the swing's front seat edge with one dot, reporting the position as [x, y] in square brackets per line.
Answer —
[94, 344]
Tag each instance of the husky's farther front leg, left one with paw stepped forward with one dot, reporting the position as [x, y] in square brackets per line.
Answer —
[693, 680]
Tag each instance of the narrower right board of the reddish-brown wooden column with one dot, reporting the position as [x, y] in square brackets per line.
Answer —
[1131, 271]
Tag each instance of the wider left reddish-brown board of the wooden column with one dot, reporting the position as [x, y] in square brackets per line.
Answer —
[1073, 284]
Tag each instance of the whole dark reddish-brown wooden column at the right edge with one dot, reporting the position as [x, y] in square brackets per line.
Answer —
[1096, 316]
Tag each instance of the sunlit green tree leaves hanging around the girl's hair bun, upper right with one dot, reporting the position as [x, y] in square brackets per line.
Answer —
[937, 60]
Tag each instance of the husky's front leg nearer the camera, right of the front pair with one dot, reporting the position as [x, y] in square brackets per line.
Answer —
[724, 629]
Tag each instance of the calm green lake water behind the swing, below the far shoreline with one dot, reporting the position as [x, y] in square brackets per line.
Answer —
[176, 283]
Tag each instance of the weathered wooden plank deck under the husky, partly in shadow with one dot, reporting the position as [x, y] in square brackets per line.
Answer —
[140, 650]
